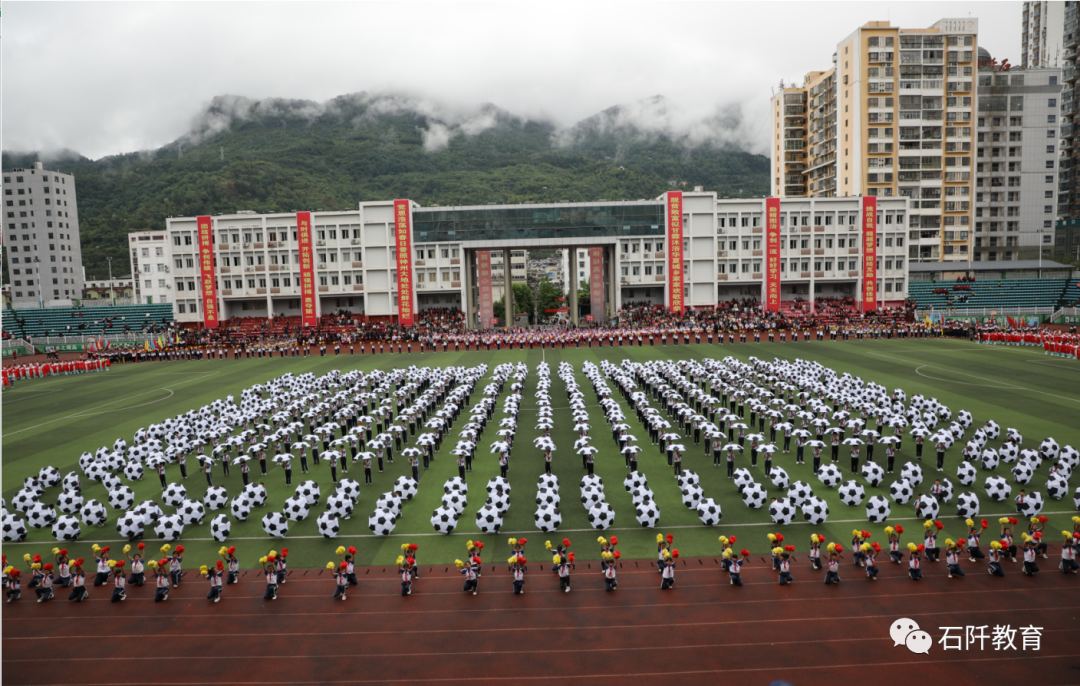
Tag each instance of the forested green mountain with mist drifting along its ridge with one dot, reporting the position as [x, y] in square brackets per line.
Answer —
[288, 155]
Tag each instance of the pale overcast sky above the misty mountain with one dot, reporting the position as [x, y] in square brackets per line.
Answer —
[103, 78]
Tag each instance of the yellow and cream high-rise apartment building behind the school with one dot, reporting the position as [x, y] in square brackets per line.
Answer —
[893, 118]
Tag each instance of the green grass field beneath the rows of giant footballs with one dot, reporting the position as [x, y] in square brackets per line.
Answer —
[52, 422]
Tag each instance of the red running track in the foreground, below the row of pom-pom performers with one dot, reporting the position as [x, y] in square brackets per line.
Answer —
[705, 630]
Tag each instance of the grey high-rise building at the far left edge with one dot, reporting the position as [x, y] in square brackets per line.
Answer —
[42, 235]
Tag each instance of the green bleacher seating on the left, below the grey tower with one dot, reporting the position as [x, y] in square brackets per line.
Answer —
[56, 321]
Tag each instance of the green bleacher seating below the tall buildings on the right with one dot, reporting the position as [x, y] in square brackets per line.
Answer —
[993, 293]
